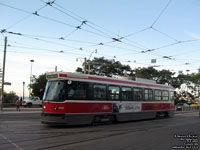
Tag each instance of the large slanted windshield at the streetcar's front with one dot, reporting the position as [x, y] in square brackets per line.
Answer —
[54, 91]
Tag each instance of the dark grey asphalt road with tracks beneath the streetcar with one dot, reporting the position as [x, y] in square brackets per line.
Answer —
[23, 131]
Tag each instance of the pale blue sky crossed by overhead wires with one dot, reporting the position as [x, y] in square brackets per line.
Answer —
[59, 32]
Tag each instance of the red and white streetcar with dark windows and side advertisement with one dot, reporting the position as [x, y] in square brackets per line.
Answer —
[75, 99]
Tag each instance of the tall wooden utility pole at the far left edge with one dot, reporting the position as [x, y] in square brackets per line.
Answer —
[3, 74]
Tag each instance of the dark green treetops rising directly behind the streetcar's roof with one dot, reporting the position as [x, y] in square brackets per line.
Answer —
[102, 66]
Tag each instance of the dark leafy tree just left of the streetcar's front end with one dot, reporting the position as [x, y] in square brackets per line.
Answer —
[38, 85]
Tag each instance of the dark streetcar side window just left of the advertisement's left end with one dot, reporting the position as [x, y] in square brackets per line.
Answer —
[99, 91]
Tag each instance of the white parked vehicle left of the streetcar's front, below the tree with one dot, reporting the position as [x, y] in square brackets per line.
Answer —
[32, 101]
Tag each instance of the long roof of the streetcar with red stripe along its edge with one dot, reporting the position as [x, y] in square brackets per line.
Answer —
[105, 80]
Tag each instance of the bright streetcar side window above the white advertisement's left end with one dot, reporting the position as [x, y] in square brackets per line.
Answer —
[113, 92]
